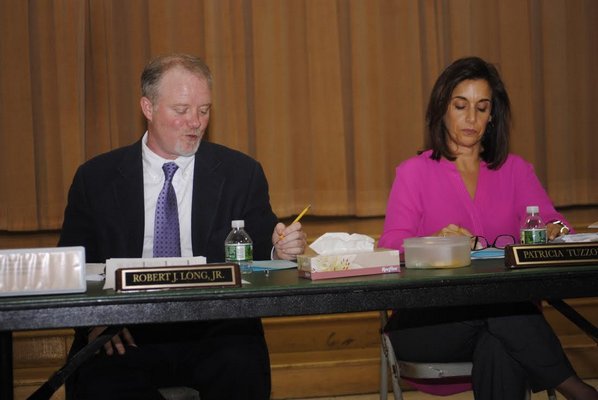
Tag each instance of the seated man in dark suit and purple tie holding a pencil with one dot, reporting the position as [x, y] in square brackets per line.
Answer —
[113, 211]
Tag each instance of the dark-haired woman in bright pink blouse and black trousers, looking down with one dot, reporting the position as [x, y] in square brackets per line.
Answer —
[467, 184]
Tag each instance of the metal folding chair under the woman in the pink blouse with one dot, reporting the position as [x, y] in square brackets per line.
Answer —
[456, 377]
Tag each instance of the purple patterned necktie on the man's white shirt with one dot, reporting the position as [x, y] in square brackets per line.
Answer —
[167, 242]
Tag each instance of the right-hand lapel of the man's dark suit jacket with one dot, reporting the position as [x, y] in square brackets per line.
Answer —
[207, 194]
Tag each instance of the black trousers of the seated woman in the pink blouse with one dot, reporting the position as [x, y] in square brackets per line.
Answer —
[511, 346]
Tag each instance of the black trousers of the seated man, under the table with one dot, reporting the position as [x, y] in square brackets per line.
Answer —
[222, 360]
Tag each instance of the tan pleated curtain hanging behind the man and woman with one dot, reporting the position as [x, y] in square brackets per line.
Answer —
[329, 95]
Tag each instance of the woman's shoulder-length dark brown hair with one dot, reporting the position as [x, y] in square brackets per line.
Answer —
[495, 141]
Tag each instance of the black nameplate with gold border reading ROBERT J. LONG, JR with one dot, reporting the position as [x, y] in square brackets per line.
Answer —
[178, 277]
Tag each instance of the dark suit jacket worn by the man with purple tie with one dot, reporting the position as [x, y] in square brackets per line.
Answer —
[105, 211]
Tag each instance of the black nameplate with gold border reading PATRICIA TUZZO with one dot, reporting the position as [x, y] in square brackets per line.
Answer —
[529, 255]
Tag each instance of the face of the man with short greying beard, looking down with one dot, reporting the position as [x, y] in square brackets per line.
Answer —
[179, 116]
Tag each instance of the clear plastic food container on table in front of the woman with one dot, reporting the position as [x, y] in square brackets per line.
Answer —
[437, 252]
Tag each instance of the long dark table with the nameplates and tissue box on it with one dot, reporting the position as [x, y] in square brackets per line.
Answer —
[283, 293]
